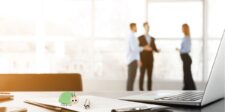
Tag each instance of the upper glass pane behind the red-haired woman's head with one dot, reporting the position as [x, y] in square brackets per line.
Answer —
[166, 18]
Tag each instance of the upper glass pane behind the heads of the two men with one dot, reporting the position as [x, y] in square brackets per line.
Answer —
[112, 17]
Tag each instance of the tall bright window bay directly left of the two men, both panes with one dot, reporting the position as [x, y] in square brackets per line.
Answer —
[111, 26]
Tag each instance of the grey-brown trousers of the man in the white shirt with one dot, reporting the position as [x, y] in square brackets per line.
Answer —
[132, 71]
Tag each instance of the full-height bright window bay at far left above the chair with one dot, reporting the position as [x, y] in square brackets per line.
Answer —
[17, 30]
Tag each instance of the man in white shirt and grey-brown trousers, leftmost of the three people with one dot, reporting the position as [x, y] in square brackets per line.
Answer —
[133, 56]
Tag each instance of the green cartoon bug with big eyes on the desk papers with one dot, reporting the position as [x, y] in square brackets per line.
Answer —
[68, 98]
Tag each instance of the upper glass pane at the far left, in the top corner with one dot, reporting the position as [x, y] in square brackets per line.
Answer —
[18, 17]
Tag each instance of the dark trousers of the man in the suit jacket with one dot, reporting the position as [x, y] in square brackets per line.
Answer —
[146, 67]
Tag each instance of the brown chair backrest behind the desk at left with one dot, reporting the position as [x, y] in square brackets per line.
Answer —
[41, 82]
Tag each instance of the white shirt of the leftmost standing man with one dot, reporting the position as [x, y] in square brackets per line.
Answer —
[133, 50]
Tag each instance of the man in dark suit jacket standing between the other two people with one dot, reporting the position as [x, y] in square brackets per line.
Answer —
[148, 47]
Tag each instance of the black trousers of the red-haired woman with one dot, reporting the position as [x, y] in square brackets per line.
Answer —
[188, 80]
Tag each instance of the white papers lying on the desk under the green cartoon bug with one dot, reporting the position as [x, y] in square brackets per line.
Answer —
[97, 104]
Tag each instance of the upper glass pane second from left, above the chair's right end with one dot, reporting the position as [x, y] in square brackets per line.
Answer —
[70, 18]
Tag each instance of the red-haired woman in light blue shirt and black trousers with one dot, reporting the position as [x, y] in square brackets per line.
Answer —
[186, 59]
